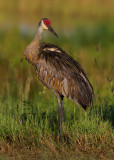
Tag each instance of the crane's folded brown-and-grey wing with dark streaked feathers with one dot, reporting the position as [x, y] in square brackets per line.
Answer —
[64, 74]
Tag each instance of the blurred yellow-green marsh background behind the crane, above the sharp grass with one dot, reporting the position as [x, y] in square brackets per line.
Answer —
[86, 32]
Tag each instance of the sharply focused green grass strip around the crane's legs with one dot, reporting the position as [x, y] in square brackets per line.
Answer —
[36, 125]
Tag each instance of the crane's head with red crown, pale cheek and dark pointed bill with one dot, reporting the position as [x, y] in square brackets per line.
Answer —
[45, 23]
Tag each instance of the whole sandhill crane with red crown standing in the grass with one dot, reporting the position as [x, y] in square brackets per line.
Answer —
[59, 71]
